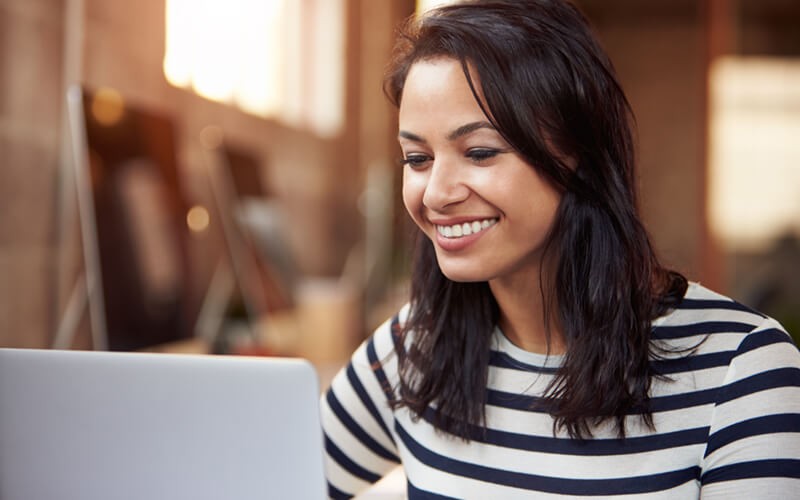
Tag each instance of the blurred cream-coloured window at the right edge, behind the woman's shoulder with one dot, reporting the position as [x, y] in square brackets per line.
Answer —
[754, 152]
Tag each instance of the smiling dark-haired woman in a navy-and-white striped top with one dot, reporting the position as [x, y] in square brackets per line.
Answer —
[544, 350]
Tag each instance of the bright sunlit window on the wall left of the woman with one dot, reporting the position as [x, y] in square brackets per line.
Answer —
[279, 59]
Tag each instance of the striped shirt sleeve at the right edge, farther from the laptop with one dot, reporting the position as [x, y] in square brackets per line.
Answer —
[753, 448]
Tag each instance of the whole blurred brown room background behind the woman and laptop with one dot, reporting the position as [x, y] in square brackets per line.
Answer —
[221, 175]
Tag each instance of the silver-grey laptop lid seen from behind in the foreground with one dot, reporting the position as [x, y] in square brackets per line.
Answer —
[95, 425]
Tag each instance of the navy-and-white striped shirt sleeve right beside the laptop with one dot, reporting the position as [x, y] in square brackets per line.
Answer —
[357, 419]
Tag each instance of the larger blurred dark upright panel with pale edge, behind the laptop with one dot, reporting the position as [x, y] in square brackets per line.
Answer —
[132, 216]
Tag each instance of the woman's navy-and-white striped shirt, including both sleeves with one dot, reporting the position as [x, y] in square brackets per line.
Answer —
[727, 421]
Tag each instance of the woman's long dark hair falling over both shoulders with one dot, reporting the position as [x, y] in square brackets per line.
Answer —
[551, 92]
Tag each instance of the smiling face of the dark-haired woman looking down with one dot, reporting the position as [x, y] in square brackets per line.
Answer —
[486, 210]
